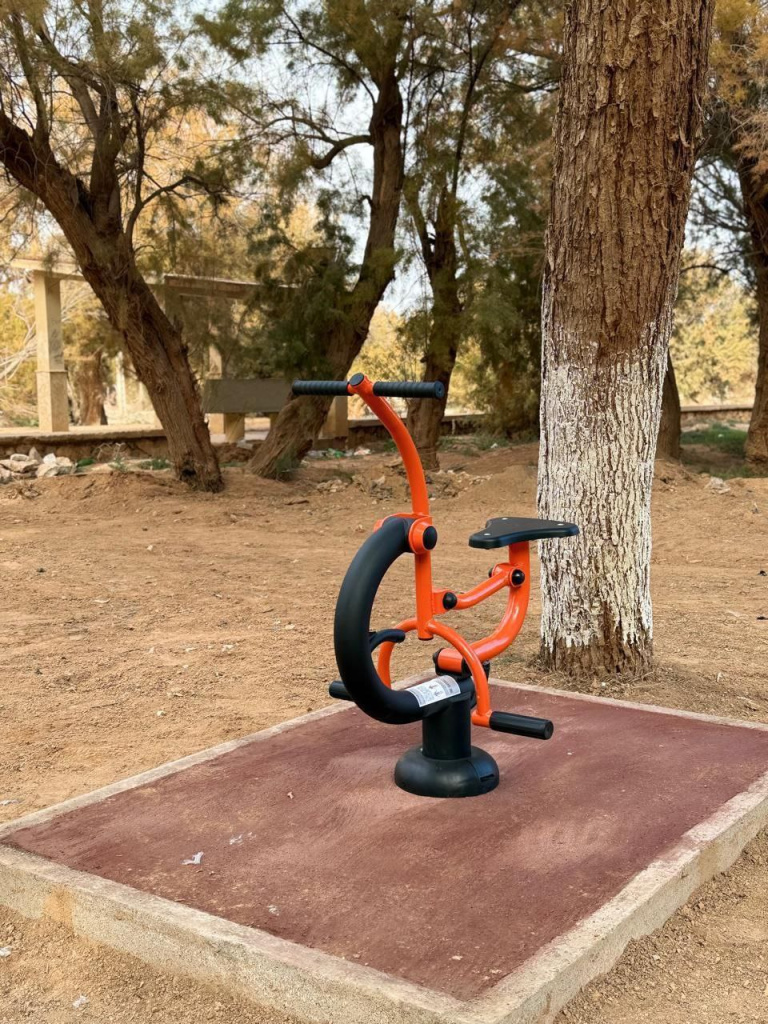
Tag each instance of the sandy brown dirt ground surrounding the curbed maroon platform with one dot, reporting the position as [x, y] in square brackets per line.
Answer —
[142, 623]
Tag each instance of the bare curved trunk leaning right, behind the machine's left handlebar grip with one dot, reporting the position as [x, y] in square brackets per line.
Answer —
[301, 420]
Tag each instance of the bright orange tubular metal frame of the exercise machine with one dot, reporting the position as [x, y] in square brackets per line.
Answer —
[429, 600]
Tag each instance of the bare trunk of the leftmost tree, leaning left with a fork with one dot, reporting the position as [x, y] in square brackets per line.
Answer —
[92, 223]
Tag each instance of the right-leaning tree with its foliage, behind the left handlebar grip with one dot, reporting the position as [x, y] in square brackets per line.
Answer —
[346, 62]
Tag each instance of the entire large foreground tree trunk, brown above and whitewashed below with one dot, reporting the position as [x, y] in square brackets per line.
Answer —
[628, 118]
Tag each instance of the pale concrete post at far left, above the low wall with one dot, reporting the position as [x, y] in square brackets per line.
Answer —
[53, 409]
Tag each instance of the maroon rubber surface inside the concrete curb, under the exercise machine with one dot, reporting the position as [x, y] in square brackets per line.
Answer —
[306, 835]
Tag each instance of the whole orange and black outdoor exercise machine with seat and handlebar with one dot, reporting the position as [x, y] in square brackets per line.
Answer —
[446, 764]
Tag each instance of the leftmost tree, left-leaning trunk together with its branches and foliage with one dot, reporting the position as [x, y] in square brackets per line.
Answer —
[88, 87]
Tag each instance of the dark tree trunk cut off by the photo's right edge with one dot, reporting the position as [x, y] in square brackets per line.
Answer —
[756, 208]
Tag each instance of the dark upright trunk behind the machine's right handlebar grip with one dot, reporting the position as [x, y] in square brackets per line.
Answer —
[442, 262]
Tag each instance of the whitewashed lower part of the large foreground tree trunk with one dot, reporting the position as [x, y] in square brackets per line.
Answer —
[596, 471]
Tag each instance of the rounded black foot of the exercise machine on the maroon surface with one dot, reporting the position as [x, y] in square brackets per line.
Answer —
[438, 778]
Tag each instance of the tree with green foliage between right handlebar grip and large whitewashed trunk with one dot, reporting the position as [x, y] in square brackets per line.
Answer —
[480, 94]
